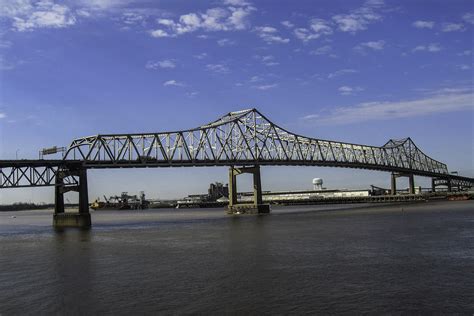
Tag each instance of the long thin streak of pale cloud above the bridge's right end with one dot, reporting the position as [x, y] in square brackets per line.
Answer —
[439, 102]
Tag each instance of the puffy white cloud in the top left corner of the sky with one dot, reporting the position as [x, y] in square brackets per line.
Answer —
[27, 15]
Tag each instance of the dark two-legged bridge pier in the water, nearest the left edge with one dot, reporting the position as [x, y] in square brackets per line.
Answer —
[82, 218]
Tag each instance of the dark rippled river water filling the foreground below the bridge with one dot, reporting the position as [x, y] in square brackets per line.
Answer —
[401, 259]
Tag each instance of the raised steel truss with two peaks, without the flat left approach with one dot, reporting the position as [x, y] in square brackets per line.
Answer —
[246, 138]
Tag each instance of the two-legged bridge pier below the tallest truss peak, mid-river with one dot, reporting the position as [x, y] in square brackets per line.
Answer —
[257, 207]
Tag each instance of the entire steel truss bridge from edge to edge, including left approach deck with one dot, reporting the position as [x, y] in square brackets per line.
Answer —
[245, 138]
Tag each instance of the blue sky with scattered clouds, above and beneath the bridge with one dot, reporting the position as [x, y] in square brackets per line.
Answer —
[355, 71]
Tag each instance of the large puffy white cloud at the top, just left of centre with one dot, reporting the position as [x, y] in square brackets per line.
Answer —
[231, 18]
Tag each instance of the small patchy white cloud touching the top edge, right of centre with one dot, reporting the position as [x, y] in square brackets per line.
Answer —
[359, 19]
